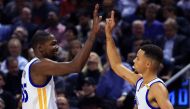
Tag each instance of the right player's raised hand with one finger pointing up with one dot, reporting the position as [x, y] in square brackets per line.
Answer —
[110, 23]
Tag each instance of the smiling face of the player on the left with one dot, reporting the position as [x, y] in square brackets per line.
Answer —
[50, 48]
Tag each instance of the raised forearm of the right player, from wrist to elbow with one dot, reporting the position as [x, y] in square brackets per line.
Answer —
[113, 55]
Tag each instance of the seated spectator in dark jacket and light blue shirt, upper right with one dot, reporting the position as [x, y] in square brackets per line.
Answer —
[175, 48]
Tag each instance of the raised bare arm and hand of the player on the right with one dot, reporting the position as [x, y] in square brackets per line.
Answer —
[114, 57]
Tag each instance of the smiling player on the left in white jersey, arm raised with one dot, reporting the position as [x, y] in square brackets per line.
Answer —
[37, 81]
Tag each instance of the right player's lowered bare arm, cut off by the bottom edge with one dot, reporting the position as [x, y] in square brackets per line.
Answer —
[160, 93]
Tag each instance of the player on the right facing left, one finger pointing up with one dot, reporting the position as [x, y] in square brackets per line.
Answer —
[151, 92]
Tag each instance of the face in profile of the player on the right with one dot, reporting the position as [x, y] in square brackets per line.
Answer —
[139, 62]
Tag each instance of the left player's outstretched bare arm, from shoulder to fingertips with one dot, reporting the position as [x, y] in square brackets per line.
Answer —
[49, 67]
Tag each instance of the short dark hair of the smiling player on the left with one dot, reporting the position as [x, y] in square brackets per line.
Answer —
[39, 38]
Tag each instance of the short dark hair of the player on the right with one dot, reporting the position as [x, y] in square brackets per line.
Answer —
[152, 51]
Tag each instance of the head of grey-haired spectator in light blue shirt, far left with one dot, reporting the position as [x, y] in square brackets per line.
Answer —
[14, 47]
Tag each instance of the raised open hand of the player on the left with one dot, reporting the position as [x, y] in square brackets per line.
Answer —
[96, 20]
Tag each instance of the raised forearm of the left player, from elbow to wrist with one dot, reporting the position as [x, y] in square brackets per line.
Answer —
[83, 55]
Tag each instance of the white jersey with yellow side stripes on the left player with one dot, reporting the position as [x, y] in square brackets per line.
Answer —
[37, 96]
